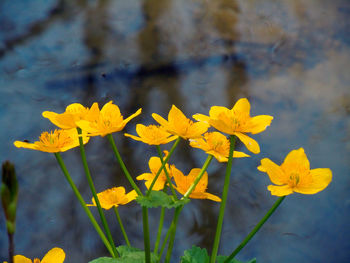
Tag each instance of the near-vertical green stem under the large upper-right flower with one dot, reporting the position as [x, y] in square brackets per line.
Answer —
[223, 202]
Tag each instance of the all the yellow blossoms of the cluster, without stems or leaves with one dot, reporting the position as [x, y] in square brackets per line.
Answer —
[294, 175]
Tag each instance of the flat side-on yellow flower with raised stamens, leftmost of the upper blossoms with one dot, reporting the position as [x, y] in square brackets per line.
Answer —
[53, 142]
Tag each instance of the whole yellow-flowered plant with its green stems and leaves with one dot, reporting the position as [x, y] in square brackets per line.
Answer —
[165, 185]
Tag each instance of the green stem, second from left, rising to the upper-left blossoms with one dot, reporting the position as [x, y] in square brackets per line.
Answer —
[93, 190]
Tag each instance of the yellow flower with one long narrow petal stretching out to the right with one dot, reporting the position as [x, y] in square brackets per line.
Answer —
[106, 121]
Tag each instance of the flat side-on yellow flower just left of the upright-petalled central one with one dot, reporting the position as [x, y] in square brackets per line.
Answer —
[152, 135]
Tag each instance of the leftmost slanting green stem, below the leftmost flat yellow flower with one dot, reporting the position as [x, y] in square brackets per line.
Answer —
[83, 204]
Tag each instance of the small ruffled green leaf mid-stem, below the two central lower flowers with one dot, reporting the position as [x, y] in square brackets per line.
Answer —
[159, 198]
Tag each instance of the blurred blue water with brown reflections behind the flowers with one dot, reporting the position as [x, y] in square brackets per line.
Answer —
[289, 58]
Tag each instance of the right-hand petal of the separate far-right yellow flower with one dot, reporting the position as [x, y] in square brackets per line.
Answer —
[321, 178]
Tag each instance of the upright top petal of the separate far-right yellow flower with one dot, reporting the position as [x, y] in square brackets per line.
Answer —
[296, 160]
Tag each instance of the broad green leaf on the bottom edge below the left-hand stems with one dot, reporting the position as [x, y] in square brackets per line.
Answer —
[127, 255]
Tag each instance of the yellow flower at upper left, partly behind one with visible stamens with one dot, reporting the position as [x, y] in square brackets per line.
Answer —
[67, 119]
